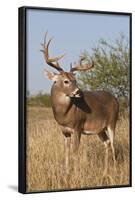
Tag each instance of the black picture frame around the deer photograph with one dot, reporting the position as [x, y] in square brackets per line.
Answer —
[22, 85]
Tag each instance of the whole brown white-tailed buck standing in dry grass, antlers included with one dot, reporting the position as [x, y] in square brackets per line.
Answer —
[80, 112]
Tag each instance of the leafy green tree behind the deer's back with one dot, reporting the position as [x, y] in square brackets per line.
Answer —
[111, 69]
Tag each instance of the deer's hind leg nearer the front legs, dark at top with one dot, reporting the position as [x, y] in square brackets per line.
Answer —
[104, 138]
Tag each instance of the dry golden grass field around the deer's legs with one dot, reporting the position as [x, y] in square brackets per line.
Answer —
[45, 156]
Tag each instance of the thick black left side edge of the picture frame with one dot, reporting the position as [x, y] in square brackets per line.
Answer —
[22, 100]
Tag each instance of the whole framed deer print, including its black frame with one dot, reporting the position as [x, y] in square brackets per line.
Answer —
[74, 99]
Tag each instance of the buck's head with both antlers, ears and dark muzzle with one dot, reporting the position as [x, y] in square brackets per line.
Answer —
[64, 81]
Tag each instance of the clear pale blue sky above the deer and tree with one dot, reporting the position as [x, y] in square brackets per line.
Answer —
[72, 33]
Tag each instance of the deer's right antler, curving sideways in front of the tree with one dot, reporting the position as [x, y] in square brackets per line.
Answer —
[82, 67]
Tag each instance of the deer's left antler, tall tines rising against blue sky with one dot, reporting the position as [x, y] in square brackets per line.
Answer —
[53, 62]
